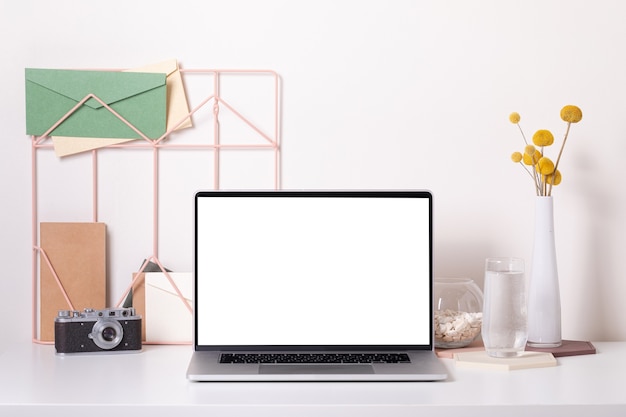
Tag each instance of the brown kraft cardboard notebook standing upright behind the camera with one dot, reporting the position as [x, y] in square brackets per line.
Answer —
[77, 252]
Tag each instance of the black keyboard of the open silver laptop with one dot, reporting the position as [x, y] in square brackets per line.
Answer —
[314, 358]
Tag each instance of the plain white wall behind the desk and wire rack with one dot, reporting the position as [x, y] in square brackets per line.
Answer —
[375, 94]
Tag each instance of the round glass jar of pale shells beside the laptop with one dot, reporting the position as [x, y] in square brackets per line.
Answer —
[458, 305]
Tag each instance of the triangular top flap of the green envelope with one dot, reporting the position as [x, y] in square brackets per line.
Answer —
[108, 86]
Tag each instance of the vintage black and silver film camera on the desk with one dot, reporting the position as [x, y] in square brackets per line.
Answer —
[108, 330]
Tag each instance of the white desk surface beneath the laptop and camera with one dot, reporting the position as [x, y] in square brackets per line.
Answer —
[35, 381]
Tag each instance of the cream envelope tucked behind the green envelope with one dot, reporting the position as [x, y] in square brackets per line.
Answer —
[177, 110]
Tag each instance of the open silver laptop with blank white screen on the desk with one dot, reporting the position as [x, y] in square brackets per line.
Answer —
[313, 286]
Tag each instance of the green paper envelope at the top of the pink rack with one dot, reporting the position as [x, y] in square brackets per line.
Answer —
[140, 98]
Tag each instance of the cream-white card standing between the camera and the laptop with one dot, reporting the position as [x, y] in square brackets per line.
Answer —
[167, 319]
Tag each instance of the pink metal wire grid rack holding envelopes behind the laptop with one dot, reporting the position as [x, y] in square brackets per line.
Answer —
[214, 101]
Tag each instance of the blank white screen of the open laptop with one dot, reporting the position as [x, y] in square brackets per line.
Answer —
[313, 270]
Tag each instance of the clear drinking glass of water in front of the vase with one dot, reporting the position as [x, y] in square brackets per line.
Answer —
[504, 328]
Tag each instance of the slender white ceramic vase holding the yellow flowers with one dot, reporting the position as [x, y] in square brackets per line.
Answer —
[544, 299]
